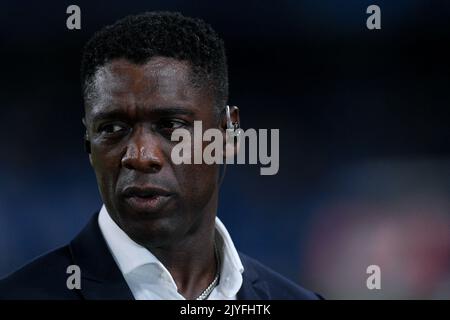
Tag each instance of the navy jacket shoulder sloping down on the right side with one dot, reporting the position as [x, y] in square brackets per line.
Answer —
[277, 286]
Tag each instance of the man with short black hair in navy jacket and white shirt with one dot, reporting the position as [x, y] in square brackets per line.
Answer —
[157, 235]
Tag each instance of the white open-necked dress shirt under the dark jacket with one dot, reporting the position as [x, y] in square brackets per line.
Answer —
[148, 278]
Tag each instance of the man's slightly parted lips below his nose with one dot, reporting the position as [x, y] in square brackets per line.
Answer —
[146, 199]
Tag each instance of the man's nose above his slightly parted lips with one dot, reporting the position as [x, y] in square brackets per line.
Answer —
[143, 153]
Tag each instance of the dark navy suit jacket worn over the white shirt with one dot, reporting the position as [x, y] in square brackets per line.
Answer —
[46, 277]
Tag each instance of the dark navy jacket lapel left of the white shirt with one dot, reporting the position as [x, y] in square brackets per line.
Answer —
[101, 277]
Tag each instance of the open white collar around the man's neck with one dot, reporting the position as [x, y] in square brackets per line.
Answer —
[130, 256]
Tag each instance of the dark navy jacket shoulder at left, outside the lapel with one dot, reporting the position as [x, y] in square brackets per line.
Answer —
[43, 278]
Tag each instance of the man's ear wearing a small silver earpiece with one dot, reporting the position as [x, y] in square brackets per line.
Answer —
[231, 126]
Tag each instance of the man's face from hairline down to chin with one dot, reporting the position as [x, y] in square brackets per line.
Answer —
[129, 123]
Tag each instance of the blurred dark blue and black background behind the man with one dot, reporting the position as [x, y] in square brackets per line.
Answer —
[363, 118]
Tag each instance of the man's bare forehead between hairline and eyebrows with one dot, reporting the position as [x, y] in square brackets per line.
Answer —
[161, 81]
